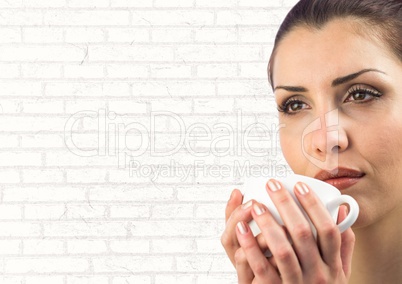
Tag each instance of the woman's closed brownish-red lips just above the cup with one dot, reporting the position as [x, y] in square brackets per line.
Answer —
[341, 178]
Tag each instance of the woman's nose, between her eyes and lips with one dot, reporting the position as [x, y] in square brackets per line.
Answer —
[323, 139]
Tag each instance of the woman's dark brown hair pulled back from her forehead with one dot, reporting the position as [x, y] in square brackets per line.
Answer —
[379, 18]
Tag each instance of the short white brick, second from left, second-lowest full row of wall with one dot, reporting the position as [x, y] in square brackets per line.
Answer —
[43, 246]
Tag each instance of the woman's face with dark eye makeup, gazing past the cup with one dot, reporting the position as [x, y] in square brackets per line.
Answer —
[339, 96]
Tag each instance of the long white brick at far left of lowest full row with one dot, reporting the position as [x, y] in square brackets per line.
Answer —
[46, 265]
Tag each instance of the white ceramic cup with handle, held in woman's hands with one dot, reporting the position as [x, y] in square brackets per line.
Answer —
[254, 188]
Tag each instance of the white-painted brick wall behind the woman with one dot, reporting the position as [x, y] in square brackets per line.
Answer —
[73, 208]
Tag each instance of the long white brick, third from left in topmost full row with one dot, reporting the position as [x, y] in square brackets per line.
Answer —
[173, 17]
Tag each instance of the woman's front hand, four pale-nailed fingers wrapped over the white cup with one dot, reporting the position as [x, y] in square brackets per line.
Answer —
[325, 260]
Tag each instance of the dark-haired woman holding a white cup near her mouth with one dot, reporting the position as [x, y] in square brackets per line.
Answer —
[336, 64]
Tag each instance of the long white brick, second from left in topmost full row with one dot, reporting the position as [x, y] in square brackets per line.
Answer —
[86, 17]
